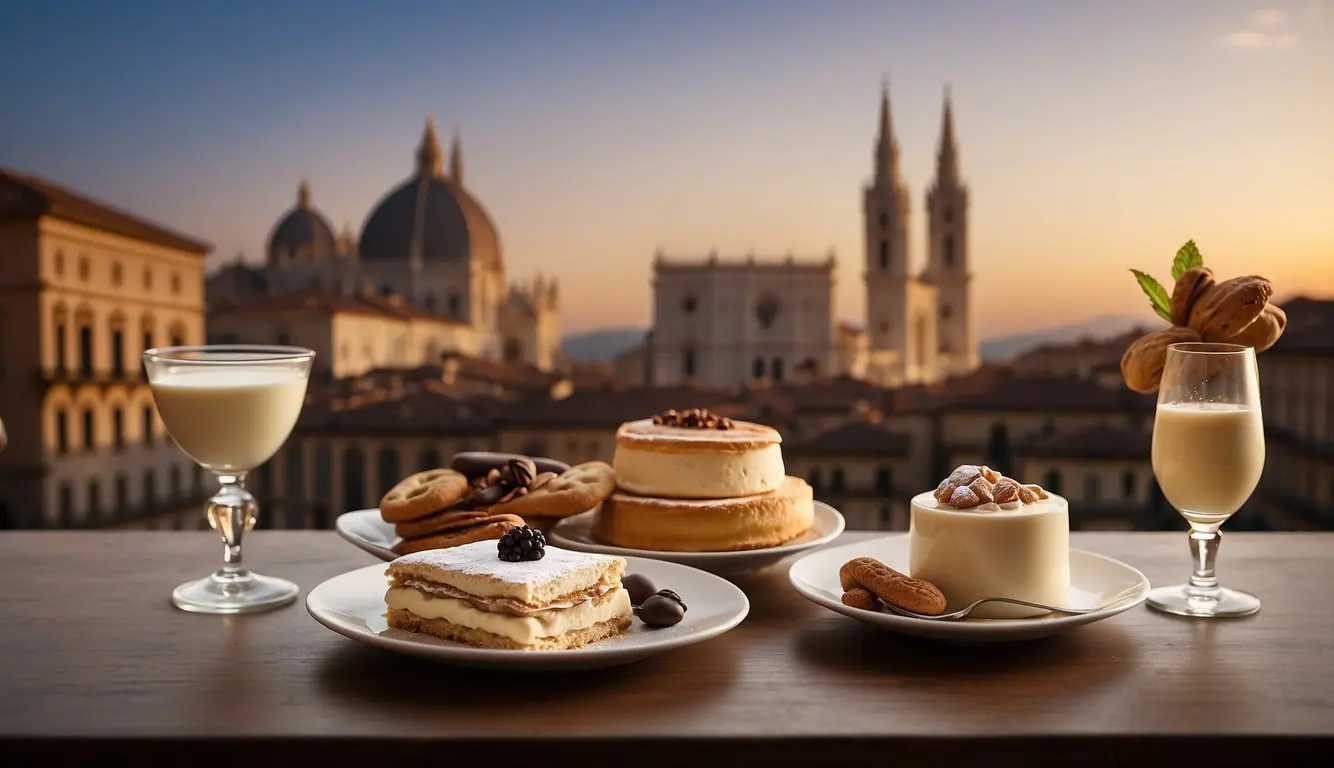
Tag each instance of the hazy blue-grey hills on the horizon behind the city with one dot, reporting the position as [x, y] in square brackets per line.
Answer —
[604, 345]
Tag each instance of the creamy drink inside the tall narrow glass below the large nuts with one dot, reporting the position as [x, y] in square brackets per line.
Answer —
[1208, 458]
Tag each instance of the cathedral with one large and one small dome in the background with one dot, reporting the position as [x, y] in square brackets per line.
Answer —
[428, 242]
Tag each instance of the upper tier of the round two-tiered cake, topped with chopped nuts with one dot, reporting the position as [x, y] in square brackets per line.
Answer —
[684, 457]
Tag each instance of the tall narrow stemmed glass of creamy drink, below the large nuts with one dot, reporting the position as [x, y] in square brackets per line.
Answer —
[1209, 454]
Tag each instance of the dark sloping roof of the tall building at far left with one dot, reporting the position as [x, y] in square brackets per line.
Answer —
[31, 198]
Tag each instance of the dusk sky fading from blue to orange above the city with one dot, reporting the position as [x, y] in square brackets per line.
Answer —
[1095, 137]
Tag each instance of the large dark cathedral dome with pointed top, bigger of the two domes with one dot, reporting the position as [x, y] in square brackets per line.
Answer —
[433, 213]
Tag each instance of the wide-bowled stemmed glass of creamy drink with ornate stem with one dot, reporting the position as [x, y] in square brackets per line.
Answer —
[230, 409]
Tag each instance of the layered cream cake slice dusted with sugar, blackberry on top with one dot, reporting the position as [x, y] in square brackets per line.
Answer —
[500, 597]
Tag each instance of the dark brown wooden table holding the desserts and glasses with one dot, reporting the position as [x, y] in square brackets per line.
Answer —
[95, 665]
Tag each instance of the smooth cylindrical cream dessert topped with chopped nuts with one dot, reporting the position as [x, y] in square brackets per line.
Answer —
[984, 535]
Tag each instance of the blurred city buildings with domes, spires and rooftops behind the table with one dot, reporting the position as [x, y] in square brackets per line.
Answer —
[428, 346]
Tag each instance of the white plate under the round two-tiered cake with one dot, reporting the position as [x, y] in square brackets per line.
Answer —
[577, 534]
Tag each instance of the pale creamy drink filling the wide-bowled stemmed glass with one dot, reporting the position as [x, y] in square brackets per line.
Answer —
[230, 419]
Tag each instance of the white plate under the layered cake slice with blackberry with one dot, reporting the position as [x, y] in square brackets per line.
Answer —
[353, 605]
